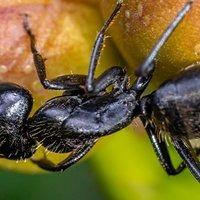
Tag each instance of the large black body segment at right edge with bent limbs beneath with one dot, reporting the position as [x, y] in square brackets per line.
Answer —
[175, 108]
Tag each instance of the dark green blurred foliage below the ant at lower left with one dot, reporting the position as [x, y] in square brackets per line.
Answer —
[76, 183]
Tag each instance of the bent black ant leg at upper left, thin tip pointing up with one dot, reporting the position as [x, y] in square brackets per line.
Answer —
[71, 82]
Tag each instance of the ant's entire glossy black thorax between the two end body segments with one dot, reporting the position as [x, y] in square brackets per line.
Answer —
[78, 118]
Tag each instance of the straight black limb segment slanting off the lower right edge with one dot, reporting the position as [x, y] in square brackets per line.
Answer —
[188, 156]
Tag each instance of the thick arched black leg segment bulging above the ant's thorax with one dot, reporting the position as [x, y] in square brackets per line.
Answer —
[114, 75]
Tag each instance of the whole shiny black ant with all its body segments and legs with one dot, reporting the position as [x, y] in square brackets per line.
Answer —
[88, 109]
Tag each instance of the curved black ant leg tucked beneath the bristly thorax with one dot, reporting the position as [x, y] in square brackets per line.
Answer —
[74, 157]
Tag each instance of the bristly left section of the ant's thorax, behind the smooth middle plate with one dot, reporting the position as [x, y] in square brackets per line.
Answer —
[46, 126]
